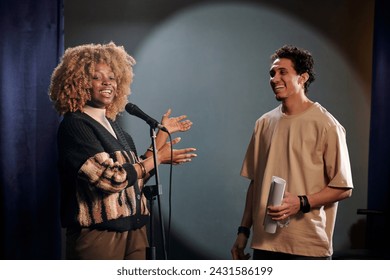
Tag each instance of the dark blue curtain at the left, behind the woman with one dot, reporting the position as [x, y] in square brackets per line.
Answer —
[31, 42]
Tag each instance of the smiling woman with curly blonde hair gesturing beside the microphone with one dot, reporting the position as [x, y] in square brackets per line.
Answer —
[101, 174]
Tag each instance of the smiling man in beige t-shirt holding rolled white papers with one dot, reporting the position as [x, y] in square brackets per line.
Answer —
[301, 142]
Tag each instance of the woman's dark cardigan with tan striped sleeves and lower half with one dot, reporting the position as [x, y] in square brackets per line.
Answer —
[99, 185]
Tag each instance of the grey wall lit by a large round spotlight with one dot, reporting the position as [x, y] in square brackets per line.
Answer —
[210, 60]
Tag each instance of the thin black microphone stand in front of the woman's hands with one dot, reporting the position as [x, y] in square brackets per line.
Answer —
[151, 192]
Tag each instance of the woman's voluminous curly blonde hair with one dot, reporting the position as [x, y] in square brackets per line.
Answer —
[71, 81]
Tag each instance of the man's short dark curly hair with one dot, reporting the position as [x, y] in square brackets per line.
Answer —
[302, 60]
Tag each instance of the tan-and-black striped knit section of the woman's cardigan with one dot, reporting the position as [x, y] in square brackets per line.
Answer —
[108, 196]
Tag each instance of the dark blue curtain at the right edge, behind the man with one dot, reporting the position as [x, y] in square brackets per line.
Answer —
[379, 157]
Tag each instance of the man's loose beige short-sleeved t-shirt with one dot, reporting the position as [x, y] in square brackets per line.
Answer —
[309, 151]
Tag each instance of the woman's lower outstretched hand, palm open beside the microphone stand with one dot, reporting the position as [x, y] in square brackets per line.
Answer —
[179, 155]
